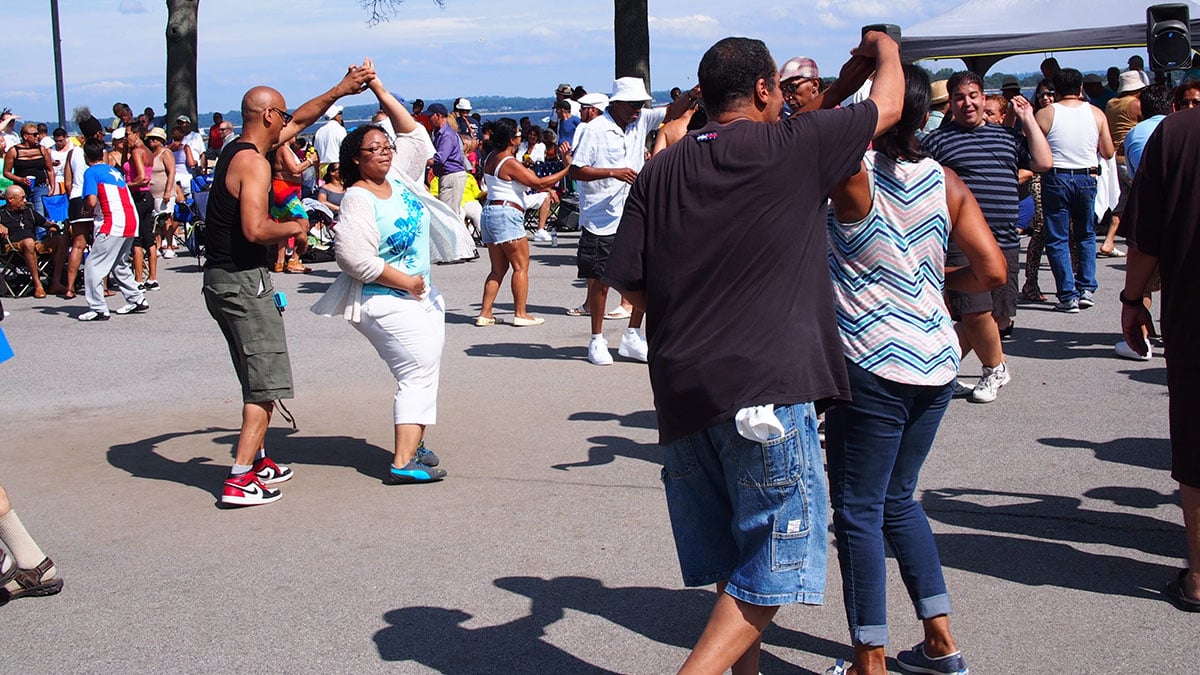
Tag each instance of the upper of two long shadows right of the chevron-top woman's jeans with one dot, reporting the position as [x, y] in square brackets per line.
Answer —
[1053, 517]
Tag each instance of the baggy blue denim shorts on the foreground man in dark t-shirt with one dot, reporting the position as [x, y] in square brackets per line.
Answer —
[753, 515]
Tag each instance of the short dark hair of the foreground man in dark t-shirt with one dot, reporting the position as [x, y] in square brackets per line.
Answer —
[730, 71]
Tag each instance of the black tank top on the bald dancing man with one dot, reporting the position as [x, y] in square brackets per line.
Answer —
[227, 246]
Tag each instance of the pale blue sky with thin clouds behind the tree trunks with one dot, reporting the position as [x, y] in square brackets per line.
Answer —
[116, 51]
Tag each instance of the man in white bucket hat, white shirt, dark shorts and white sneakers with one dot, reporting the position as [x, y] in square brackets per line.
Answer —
[609, 153]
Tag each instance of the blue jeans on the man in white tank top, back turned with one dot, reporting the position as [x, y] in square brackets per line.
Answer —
[1067, 201]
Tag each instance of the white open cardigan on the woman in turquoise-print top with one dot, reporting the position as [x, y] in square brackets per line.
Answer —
[357, 244]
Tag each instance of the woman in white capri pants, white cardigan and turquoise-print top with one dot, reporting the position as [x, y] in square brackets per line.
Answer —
[383, 249]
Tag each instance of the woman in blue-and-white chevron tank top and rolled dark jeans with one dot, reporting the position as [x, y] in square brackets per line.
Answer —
[887, 255]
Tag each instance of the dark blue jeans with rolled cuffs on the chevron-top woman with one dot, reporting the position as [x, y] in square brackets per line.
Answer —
[875, 449]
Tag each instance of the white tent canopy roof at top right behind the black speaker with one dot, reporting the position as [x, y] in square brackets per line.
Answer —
[985, 32]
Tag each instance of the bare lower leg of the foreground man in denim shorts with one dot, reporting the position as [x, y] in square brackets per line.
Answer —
[731, 637]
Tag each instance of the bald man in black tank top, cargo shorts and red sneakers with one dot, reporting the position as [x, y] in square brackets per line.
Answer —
[238, 288]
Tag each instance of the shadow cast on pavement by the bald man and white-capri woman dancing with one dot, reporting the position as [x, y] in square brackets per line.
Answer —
[141, 458]
